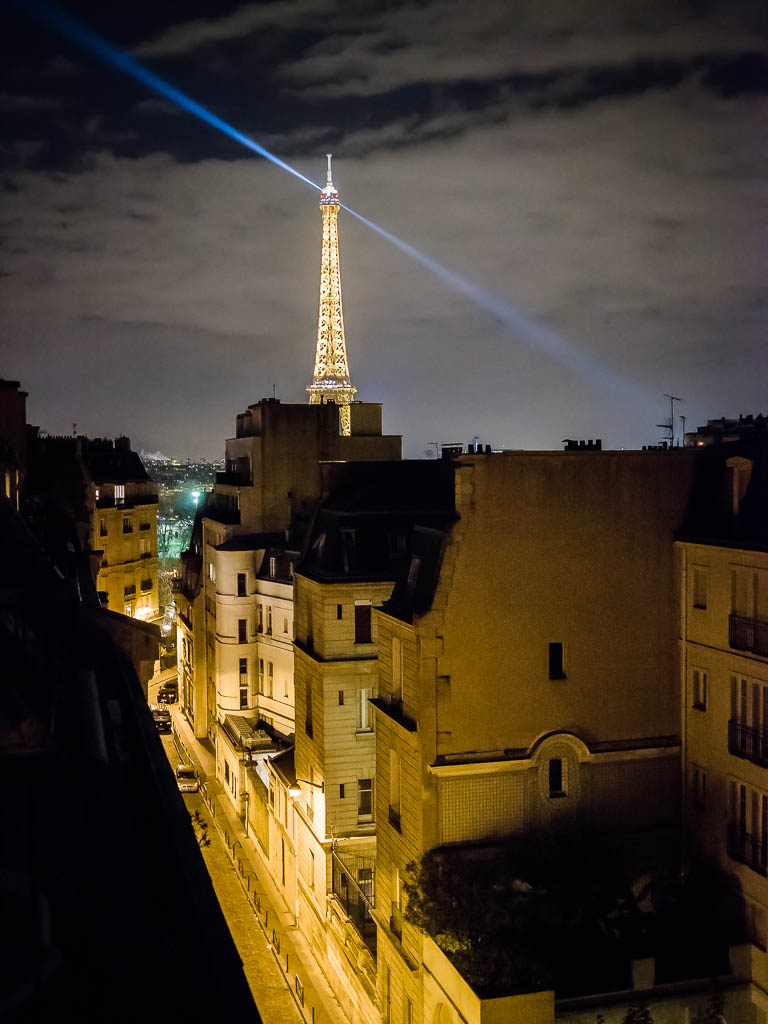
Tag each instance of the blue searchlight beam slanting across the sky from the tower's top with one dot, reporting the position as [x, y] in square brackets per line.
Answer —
[541, 337]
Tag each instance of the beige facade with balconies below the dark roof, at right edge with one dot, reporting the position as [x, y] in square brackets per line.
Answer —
[726, 717]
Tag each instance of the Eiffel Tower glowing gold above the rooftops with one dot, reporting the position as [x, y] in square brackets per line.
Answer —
[331, 379]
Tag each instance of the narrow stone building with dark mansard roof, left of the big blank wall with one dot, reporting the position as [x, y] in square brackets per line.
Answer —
[360, 543]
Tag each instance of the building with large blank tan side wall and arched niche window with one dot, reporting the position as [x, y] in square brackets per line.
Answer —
[528, 673]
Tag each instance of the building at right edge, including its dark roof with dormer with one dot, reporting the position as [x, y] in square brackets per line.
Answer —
[723, 549]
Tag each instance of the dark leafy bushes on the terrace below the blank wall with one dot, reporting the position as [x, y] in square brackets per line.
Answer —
[561, 909]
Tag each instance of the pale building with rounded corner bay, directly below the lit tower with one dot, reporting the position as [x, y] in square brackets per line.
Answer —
[236, 596]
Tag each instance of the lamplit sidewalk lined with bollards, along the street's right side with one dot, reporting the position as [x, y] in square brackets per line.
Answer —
[304, 976]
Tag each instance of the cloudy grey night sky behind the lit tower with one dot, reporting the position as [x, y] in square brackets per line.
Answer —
[591, 174]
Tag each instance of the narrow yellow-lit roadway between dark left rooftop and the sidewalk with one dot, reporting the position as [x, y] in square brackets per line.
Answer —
[274, 999]
